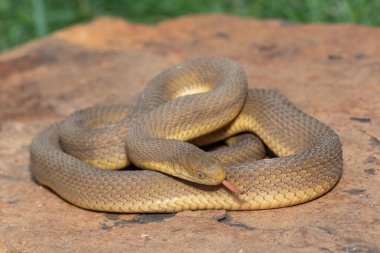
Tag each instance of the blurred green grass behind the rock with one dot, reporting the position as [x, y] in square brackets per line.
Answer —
[21, 20]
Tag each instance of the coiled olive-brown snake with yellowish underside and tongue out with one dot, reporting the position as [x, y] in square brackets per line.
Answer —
[150, 157]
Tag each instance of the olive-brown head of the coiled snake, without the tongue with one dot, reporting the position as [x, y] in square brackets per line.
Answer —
[204, 169]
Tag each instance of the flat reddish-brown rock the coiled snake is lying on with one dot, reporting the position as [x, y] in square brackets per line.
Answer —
[329, 71]
